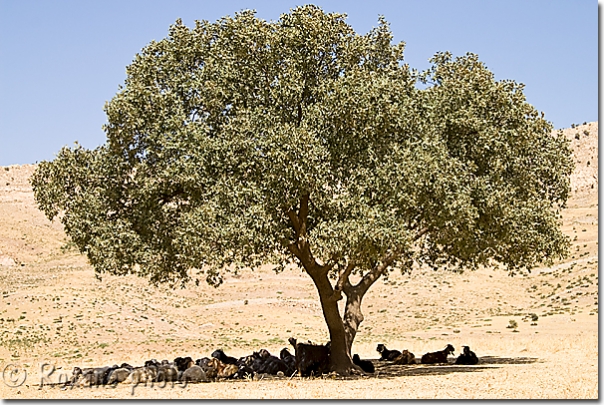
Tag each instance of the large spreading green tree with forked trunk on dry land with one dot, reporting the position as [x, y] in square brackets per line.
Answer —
[242, 142]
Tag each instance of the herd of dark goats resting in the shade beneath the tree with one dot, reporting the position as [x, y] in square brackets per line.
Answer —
[308, 360]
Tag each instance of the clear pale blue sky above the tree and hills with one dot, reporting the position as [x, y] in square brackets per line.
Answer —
[61, 60]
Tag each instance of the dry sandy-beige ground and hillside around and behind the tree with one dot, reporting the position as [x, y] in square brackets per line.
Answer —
[53, 310]
